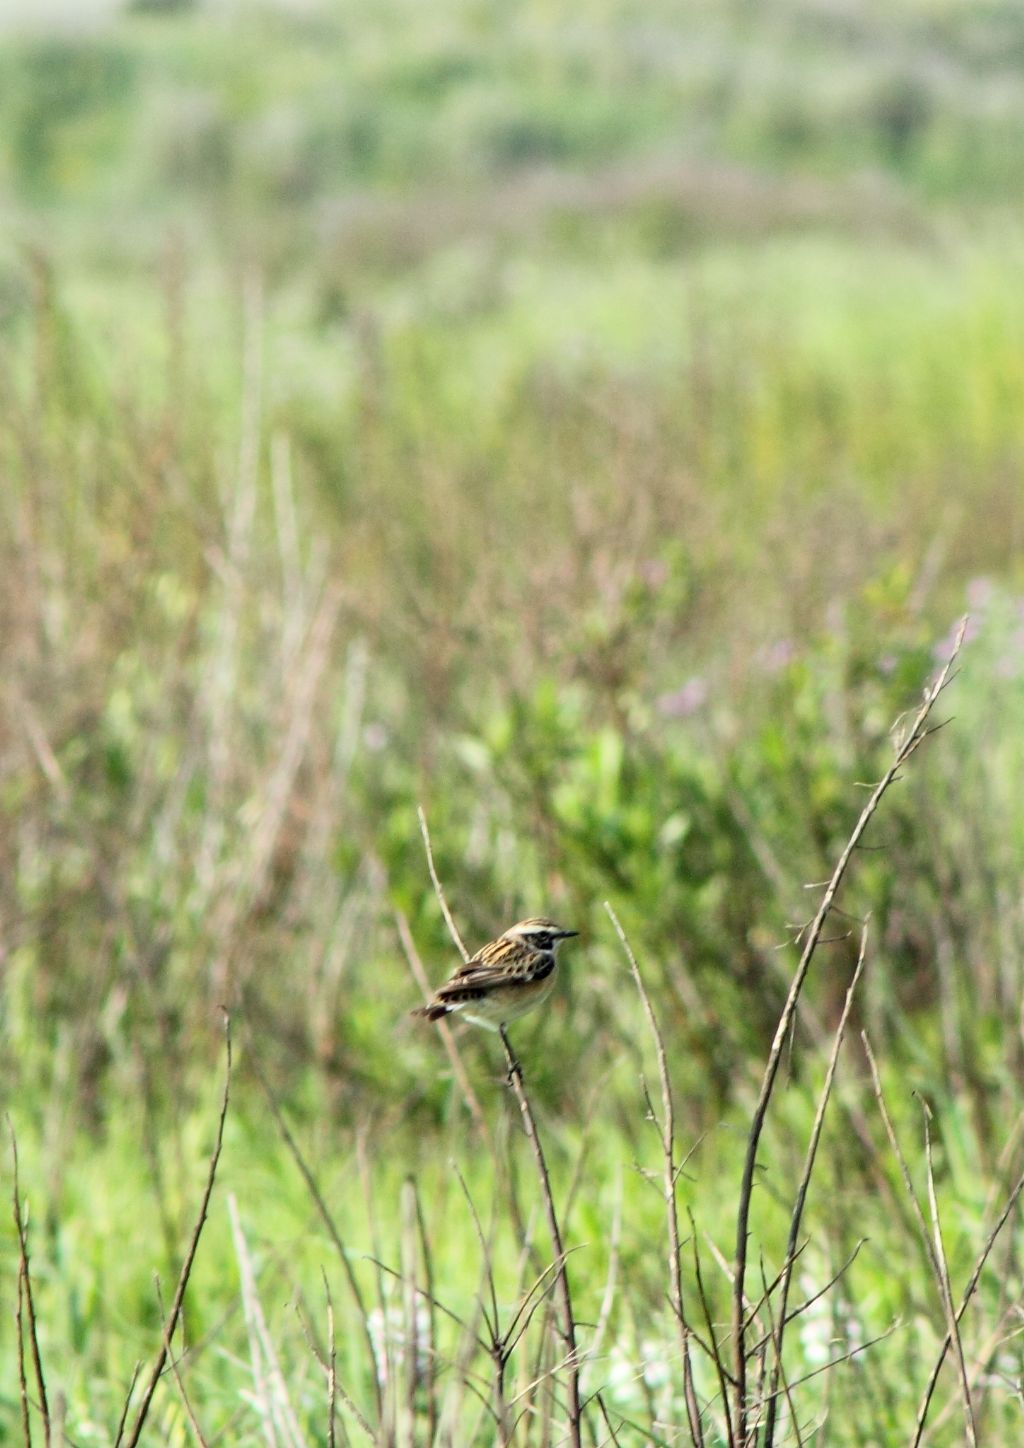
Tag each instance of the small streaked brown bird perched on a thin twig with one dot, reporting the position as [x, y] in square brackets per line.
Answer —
[505, 980]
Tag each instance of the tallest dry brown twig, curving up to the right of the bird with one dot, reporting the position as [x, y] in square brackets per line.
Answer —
[907, 744]
